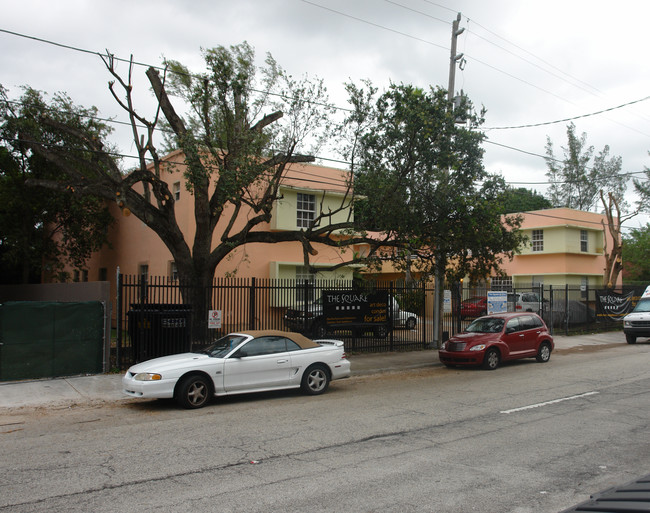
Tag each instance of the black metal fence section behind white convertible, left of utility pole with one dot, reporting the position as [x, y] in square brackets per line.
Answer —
[155, 316]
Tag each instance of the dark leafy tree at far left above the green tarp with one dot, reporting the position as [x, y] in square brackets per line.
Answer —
[40, 231]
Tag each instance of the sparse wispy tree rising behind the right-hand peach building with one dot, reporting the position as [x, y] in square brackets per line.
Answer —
[576, 180]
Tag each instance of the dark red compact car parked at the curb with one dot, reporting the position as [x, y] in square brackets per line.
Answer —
[489, 340]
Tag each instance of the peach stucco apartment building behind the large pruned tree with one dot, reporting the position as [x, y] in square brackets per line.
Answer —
[135, 249]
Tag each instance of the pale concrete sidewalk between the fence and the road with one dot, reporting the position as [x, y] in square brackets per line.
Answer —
[61, 392]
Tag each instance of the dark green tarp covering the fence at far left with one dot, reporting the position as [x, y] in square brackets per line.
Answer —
[50, 339]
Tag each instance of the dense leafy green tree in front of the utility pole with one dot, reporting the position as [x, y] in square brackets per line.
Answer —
[423, 182]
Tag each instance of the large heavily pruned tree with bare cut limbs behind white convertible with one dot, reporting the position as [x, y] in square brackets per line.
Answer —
[239, 126]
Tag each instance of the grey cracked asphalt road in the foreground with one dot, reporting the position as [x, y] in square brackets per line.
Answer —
[528, 437]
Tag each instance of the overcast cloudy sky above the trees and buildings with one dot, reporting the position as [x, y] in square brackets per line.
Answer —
[527, 63]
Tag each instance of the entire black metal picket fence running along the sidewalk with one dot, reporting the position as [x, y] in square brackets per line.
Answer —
[156, 316]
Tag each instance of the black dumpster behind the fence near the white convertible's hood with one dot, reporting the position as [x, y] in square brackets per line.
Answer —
[159, 329]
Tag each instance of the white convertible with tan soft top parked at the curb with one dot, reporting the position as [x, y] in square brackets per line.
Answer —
[251, 361]
